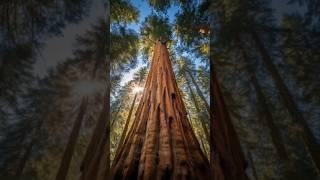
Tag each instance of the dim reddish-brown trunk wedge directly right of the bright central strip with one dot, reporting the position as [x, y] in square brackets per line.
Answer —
[227, 159]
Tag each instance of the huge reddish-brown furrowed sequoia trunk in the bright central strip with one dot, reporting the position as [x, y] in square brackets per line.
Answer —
[160, 143]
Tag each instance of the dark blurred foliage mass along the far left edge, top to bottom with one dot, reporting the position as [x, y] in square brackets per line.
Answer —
[23, 97]
